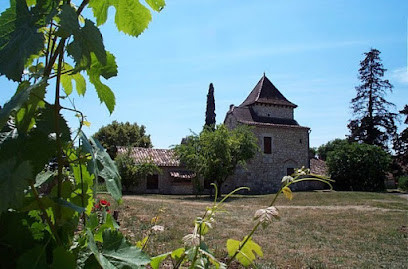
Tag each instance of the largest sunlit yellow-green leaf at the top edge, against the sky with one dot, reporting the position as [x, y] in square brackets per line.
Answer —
[131, 17]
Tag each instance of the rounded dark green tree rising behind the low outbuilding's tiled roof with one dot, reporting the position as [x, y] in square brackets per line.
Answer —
[122, 134]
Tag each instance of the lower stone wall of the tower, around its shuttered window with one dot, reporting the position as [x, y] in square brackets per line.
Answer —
[263, 174]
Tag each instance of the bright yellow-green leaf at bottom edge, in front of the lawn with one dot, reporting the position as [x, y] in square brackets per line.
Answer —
[247, 254]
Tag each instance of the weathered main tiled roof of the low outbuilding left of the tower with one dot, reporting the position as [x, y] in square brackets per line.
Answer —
[160, 157]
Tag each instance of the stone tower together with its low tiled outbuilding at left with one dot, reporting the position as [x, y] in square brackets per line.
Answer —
[283, 142]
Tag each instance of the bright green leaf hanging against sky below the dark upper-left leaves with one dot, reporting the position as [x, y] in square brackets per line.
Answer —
[107, 71]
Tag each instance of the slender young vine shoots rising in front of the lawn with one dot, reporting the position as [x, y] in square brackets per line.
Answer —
[197, 254]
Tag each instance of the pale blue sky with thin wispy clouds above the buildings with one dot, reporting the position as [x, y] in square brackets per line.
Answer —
[310, 50]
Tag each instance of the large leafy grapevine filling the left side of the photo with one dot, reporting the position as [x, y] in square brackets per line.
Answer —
[48, 173]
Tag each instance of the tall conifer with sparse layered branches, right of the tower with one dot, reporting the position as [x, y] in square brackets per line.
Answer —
[373, 123]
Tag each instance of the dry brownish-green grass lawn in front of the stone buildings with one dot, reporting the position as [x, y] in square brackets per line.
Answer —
[316, 230]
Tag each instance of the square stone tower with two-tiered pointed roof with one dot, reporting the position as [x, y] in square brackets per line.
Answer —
[283, 142]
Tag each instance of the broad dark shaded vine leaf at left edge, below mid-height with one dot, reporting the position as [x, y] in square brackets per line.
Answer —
[14, 180]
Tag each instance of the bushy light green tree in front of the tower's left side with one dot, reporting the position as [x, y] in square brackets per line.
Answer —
[214, 155]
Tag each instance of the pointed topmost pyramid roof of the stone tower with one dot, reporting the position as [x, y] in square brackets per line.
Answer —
[266, 93]
